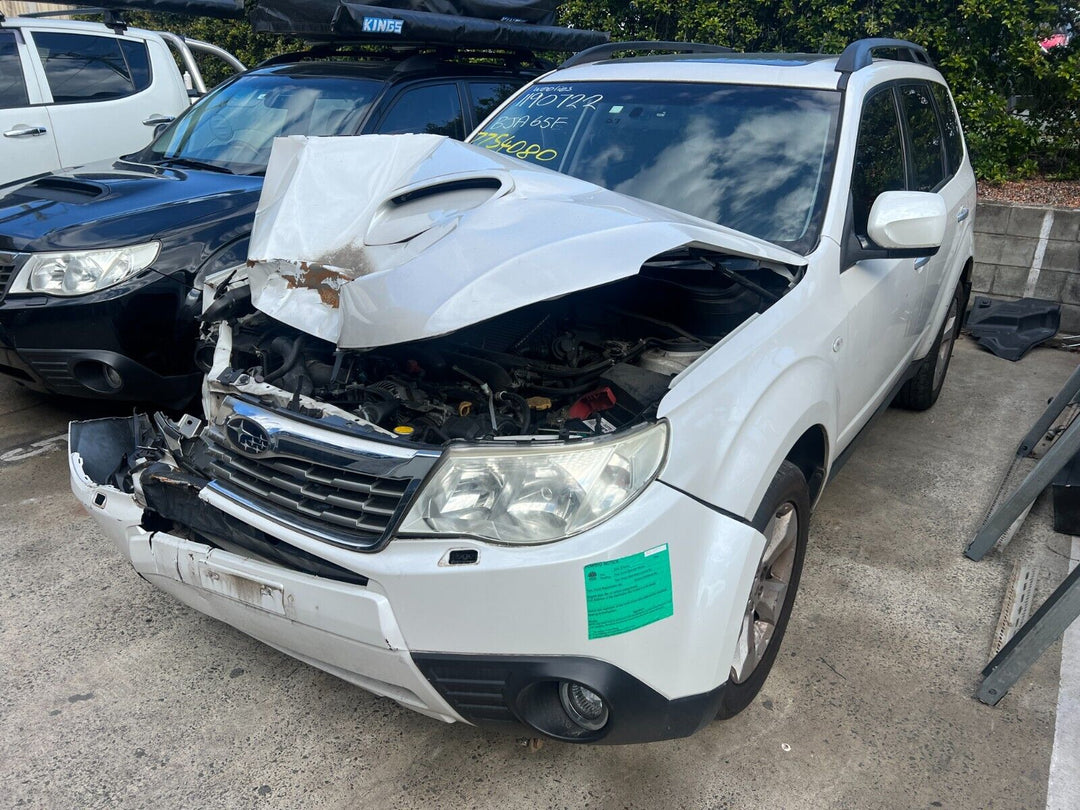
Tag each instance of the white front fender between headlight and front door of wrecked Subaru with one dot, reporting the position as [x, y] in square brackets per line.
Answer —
[738, 412]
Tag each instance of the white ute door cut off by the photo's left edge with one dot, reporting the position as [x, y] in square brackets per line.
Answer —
[28, 146]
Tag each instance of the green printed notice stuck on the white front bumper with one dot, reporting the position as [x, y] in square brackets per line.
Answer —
[629, 593]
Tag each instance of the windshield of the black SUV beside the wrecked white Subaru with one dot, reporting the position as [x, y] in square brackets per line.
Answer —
[234, 128]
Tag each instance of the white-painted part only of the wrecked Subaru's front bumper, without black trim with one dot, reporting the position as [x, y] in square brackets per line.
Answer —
[414, 604]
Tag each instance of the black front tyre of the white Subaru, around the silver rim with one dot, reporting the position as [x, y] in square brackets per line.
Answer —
[788, 490]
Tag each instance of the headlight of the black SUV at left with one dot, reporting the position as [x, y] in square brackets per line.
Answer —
[78, 273]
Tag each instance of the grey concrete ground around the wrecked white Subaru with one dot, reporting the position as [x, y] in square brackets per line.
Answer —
[112, 695]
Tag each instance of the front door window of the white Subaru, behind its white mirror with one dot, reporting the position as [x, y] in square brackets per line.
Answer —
[880, 157]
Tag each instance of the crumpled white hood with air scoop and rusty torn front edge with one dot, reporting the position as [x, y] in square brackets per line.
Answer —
[383, 239]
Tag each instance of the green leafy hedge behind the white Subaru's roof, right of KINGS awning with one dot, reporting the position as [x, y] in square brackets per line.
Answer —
[1021, 107]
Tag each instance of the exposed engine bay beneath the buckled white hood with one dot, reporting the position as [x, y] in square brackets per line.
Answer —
[585, 364]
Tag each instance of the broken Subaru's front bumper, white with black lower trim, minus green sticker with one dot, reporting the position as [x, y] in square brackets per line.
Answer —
[483, 642]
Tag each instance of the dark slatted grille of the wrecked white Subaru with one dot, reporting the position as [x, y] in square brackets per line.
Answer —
[346, 507]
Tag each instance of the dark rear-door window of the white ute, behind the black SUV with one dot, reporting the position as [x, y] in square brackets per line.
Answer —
[84, 69]
